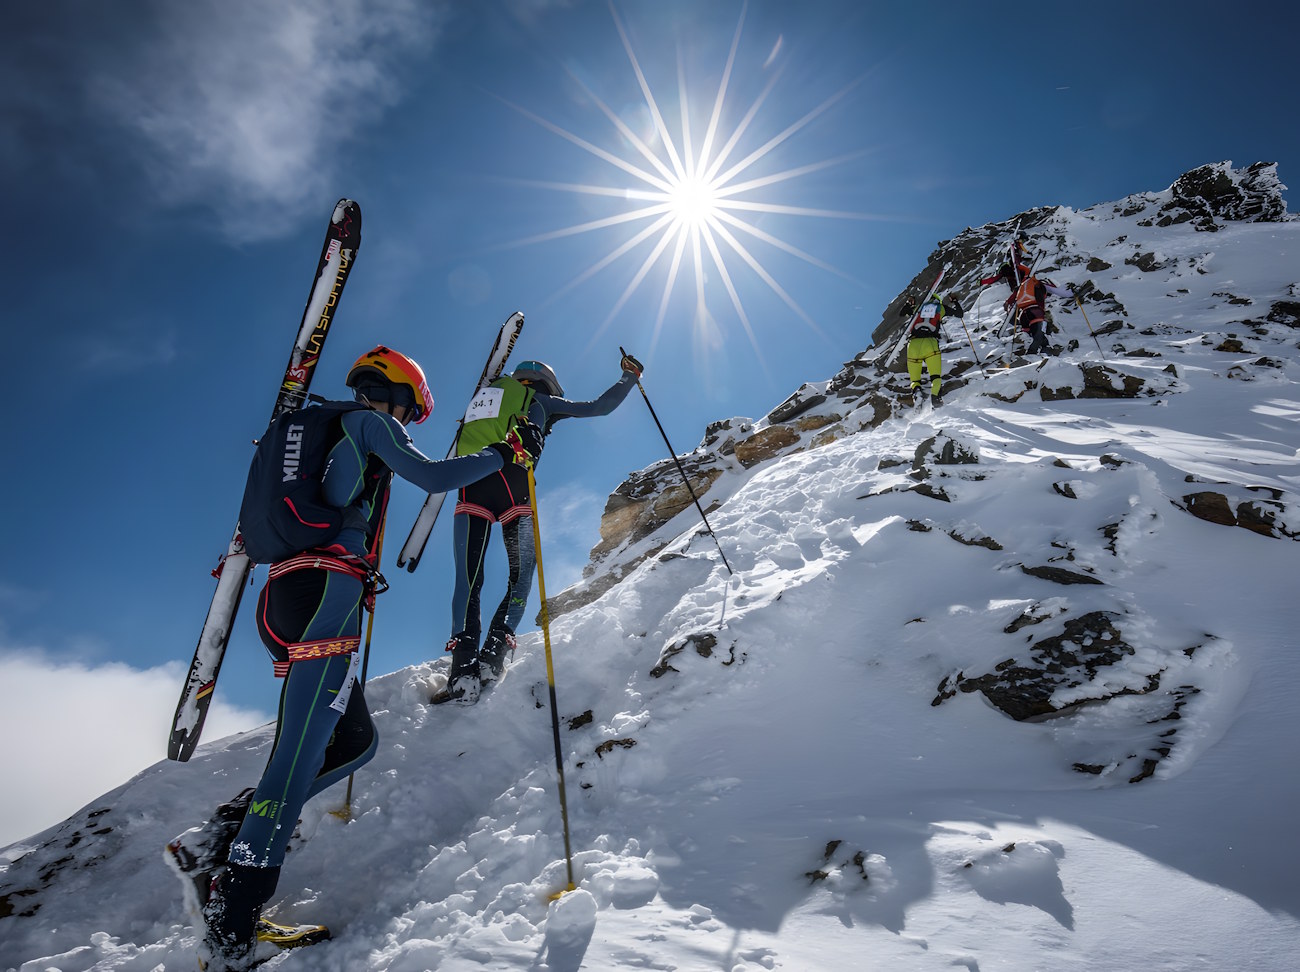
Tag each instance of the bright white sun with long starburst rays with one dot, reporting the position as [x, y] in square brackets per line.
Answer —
[692, 206]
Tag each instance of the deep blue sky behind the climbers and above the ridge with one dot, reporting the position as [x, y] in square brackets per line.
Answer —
[172, 167]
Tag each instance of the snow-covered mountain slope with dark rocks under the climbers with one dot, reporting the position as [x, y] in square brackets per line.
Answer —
[814, 765]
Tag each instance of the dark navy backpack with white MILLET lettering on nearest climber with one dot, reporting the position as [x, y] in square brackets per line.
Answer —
[283, 513]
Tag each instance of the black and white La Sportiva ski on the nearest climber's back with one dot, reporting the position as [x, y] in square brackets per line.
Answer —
[339, 255]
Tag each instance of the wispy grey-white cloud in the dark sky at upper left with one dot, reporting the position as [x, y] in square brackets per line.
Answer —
[250, 103]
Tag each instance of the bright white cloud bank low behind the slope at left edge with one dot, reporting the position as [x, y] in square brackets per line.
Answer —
[75, 732]
